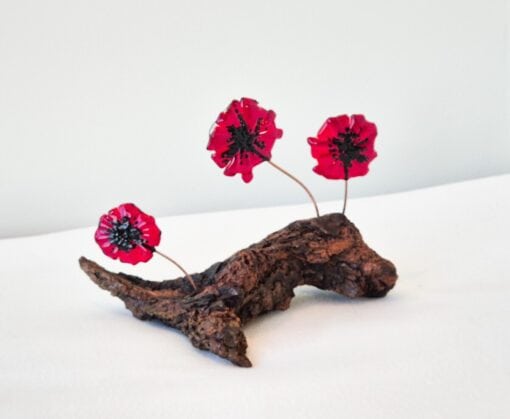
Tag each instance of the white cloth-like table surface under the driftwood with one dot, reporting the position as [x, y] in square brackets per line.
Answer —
[437, 346]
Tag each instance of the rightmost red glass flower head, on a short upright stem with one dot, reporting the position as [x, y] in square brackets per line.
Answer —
[344, 147]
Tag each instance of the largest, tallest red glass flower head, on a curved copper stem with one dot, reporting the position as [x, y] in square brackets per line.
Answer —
[242, 137]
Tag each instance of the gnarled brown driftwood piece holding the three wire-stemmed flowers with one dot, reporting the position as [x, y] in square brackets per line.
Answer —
[327, 252]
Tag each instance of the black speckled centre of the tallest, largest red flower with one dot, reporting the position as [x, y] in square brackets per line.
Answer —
[243, 141]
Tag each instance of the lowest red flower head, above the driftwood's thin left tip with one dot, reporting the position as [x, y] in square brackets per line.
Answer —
[128, 234]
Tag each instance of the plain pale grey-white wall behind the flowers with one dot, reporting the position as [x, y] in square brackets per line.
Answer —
[109, 101]
